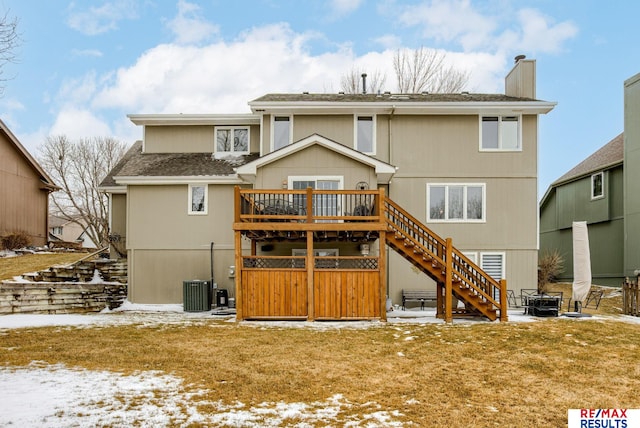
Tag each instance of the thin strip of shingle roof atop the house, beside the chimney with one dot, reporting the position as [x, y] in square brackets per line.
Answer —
[370, 98]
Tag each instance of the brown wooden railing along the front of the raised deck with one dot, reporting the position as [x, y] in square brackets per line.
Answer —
[307, 206]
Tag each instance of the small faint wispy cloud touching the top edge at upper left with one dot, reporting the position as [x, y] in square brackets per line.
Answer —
[99, 20]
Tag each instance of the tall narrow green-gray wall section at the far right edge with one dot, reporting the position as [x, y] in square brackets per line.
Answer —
[631, 182]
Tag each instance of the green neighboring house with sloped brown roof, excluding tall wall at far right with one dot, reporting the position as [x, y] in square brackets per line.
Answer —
[593, 192]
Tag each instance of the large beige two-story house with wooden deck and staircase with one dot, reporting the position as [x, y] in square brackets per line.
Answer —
[318, 206]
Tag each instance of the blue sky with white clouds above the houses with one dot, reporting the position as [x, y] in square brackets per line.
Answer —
[82, 66]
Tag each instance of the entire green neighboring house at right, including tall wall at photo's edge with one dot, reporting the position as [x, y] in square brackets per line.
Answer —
[602, 191]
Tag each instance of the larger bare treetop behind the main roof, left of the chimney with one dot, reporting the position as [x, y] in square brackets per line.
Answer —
[419, 70]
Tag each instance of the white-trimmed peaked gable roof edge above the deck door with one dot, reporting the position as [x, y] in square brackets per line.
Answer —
[383, 170]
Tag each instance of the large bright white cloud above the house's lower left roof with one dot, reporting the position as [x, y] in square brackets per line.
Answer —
[222, 77]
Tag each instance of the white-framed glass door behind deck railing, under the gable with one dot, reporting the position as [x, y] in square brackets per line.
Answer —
[323, 205]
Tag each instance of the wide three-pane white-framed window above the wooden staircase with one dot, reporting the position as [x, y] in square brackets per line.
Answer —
[456, 202]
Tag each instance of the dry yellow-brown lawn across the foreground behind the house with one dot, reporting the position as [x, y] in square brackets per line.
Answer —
[434, 375]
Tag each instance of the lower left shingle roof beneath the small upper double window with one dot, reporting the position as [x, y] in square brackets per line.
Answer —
[138, 164]
